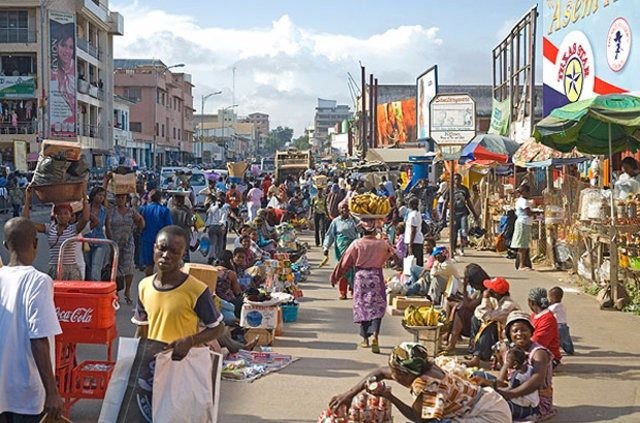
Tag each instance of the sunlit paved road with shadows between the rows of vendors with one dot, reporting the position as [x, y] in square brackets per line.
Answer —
[601, 383]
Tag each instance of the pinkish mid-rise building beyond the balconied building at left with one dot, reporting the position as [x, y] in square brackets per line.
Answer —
[162, 113]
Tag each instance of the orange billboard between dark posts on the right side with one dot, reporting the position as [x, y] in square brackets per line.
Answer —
[396, 122]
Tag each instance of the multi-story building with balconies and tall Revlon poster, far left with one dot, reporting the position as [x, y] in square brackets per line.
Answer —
[56, 73]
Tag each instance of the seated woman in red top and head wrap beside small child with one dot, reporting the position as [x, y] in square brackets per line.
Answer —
[544, 322]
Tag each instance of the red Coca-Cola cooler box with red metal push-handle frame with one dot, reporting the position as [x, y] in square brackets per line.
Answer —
[82, 305]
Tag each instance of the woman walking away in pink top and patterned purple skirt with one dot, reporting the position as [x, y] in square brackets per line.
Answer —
[366, 256]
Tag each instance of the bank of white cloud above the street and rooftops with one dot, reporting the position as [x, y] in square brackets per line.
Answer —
[281, 68]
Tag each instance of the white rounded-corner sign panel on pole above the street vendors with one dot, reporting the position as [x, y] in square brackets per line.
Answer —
[453, 119]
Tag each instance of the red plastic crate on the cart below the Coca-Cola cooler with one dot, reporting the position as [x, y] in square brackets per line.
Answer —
[90, 379]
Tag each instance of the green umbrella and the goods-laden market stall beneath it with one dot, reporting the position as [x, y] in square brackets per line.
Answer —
[604, 237]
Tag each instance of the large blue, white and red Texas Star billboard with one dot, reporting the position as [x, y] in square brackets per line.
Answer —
[588, 49]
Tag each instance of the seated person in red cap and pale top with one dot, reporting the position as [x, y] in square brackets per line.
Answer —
[490, 318]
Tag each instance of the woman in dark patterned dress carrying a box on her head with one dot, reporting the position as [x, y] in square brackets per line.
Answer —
[121, 224]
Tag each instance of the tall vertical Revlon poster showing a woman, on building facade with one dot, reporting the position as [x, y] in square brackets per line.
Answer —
[62, 83]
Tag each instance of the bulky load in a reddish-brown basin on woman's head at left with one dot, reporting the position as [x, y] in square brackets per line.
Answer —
[61, 173]
